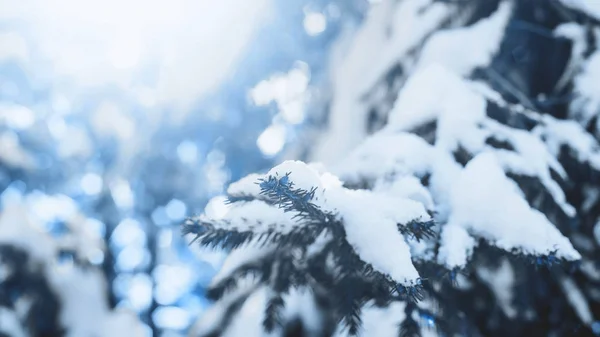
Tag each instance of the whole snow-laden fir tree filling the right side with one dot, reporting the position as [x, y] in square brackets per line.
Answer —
[457, 189]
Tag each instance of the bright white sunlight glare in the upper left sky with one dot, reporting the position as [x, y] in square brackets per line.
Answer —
[179, 50]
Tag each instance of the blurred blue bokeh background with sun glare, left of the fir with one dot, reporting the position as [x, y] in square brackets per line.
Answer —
[120, 118]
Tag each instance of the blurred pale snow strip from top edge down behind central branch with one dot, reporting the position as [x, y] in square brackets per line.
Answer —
[394, 29]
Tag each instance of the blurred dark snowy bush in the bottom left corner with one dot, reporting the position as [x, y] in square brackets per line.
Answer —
[49, 285]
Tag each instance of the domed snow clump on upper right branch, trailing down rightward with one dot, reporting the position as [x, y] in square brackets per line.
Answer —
[459, 109]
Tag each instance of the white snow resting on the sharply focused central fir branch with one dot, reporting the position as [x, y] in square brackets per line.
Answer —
[370, 218]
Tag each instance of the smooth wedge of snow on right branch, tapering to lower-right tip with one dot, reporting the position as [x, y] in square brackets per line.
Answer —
[490, 205]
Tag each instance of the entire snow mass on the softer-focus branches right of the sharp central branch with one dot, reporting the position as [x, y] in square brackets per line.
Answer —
[458, 108]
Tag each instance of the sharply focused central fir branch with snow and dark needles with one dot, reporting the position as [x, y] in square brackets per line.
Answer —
[319, 237]
